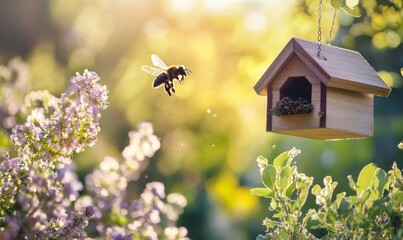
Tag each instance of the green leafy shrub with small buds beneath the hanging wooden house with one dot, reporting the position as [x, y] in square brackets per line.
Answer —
[373, 212]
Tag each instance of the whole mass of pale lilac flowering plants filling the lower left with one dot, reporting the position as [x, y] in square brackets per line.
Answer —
[39, 189]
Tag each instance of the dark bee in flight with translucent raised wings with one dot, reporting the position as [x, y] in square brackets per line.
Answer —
[165, 75]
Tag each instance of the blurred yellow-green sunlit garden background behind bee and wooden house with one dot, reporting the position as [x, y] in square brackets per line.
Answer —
[213, 131]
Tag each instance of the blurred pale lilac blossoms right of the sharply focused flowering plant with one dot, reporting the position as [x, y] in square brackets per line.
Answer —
[152, 215]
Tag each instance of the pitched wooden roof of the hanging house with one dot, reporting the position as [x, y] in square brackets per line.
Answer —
[336, 67]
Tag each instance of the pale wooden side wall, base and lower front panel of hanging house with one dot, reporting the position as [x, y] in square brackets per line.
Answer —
[349, 115]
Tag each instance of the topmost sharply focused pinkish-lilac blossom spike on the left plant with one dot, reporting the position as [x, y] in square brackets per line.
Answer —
[62, 126]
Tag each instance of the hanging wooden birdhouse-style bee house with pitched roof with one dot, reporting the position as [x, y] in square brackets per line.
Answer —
[336, 90]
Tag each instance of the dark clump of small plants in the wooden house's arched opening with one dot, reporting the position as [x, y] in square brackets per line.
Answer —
[287, 106]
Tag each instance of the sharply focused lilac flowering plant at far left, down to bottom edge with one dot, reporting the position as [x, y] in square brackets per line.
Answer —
[38, 186]
